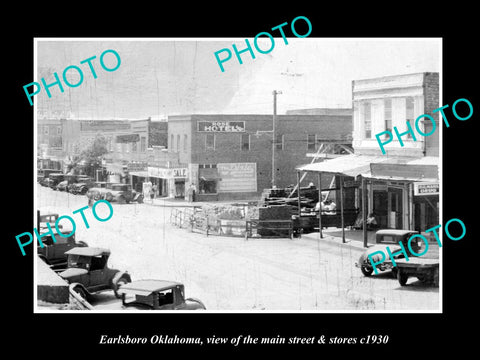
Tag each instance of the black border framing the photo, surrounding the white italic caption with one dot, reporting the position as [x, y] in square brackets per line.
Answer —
[408, 333]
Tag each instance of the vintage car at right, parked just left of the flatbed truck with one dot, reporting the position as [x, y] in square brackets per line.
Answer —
[387, 238]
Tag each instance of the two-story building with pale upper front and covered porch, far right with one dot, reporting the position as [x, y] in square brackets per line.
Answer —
[401, 188]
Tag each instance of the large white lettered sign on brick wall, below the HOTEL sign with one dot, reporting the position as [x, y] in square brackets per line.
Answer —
[237, 177]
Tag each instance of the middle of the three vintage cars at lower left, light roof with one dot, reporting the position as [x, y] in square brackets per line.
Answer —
[88, 273]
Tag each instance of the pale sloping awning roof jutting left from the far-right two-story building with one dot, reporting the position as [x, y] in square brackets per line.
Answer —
[348, 165]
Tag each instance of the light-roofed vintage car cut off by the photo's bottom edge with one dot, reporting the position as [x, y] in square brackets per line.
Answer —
[157, 295]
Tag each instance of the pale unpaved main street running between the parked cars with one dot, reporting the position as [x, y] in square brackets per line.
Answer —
[229, 273]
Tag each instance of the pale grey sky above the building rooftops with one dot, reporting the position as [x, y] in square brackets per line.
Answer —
[162, 77]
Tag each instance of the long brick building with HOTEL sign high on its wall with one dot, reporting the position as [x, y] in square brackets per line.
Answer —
[230, 156]
